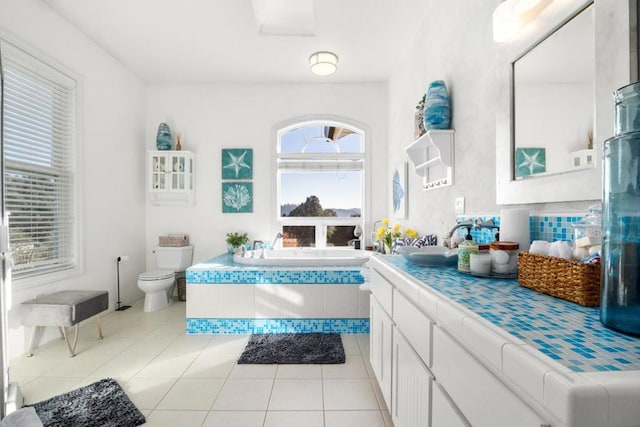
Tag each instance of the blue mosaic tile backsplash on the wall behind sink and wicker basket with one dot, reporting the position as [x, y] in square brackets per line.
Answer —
[548, 227]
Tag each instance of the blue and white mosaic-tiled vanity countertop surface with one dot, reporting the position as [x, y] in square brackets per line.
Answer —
[566, 332]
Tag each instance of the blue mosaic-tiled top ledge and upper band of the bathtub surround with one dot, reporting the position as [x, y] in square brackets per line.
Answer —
[222, 270]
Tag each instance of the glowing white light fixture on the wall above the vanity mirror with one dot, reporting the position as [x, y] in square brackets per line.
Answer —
[511, 15]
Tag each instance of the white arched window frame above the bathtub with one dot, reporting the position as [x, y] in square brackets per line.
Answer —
[325, 160]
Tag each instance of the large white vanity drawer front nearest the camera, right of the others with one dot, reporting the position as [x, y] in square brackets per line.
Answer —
[479, 395]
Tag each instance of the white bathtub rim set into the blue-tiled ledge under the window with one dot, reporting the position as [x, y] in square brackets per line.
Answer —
[303, 257]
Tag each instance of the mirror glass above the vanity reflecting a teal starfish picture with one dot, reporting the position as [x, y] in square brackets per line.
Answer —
[553, 99]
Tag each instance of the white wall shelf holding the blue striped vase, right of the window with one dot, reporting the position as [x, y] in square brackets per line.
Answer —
[432, 157]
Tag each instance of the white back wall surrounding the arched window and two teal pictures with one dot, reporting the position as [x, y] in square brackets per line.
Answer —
[215, 116]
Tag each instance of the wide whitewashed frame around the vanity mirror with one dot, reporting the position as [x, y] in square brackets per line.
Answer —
[615, 32]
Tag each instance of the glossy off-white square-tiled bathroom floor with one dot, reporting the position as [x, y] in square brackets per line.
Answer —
[193, 380]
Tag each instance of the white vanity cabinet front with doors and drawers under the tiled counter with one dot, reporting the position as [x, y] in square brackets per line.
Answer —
[435, 381]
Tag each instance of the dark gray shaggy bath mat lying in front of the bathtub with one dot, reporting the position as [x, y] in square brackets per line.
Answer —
[314, 348]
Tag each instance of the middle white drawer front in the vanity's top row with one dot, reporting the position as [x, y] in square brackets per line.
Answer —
[414, 325]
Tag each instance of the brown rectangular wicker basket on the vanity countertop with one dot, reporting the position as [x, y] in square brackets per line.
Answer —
[567, 279]
